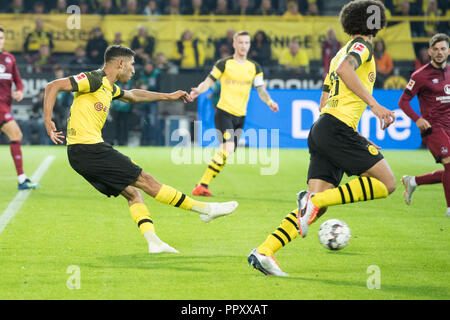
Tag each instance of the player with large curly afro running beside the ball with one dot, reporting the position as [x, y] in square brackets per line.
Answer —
[334, 144]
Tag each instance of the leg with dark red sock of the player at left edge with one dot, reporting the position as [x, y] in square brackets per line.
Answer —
[13, 132]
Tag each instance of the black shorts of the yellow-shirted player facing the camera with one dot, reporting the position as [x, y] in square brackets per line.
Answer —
[229, 126]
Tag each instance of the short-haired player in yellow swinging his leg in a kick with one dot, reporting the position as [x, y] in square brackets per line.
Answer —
[109, 171]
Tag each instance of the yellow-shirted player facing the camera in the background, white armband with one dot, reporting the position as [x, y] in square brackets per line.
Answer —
[237, 74]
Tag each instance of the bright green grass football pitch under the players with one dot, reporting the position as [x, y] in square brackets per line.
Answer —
[66, 225]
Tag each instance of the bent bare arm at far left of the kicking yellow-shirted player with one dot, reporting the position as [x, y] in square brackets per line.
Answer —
[51, 90]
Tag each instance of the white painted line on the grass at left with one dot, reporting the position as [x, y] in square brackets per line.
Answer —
[21, 196]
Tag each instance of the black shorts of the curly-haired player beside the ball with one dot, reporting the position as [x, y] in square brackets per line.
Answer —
[336, 148]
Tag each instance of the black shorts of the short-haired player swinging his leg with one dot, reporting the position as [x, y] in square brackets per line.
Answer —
[109, 171]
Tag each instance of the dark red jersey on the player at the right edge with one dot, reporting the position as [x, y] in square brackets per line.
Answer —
[432, 87]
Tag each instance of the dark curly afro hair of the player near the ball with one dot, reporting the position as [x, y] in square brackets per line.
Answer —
[356, 15]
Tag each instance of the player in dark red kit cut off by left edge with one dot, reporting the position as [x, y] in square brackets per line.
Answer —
[9, 73]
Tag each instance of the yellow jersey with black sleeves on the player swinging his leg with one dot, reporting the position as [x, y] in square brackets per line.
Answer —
[90, 107]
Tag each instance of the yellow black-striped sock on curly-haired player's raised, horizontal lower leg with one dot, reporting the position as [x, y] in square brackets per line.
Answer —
[359, 189]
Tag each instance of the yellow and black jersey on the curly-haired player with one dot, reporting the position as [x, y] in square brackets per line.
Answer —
[343, 103]
